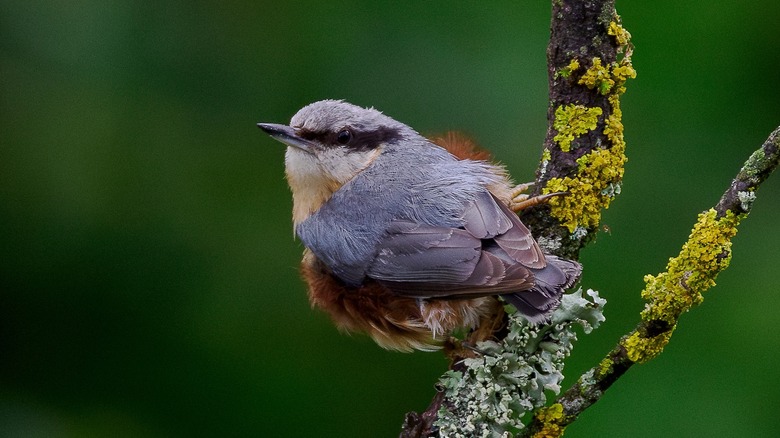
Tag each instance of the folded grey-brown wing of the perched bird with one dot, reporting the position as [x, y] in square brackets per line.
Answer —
[494, 253]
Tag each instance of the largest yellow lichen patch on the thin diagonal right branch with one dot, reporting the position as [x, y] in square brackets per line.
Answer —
[693, 271]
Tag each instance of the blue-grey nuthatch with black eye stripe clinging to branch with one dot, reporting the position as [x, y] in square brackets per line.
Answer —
[404, 240]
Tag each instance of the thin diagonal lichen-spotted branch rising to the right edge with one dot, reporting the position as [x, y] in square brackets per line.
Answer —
[669, 294]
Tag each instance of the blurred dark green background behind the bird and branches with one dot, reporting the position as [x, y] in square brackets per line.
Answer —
[148, 275]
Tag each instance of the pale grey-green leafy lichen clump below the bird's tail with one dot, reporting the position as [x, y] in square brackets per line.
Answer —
[495, 391]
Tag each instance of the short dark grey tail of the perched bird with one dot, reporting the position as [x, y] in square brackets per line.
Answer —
[549, 284]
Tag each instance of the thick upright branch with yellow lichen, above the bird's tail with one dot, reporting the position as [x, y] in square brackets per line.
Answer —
[588, 62]
